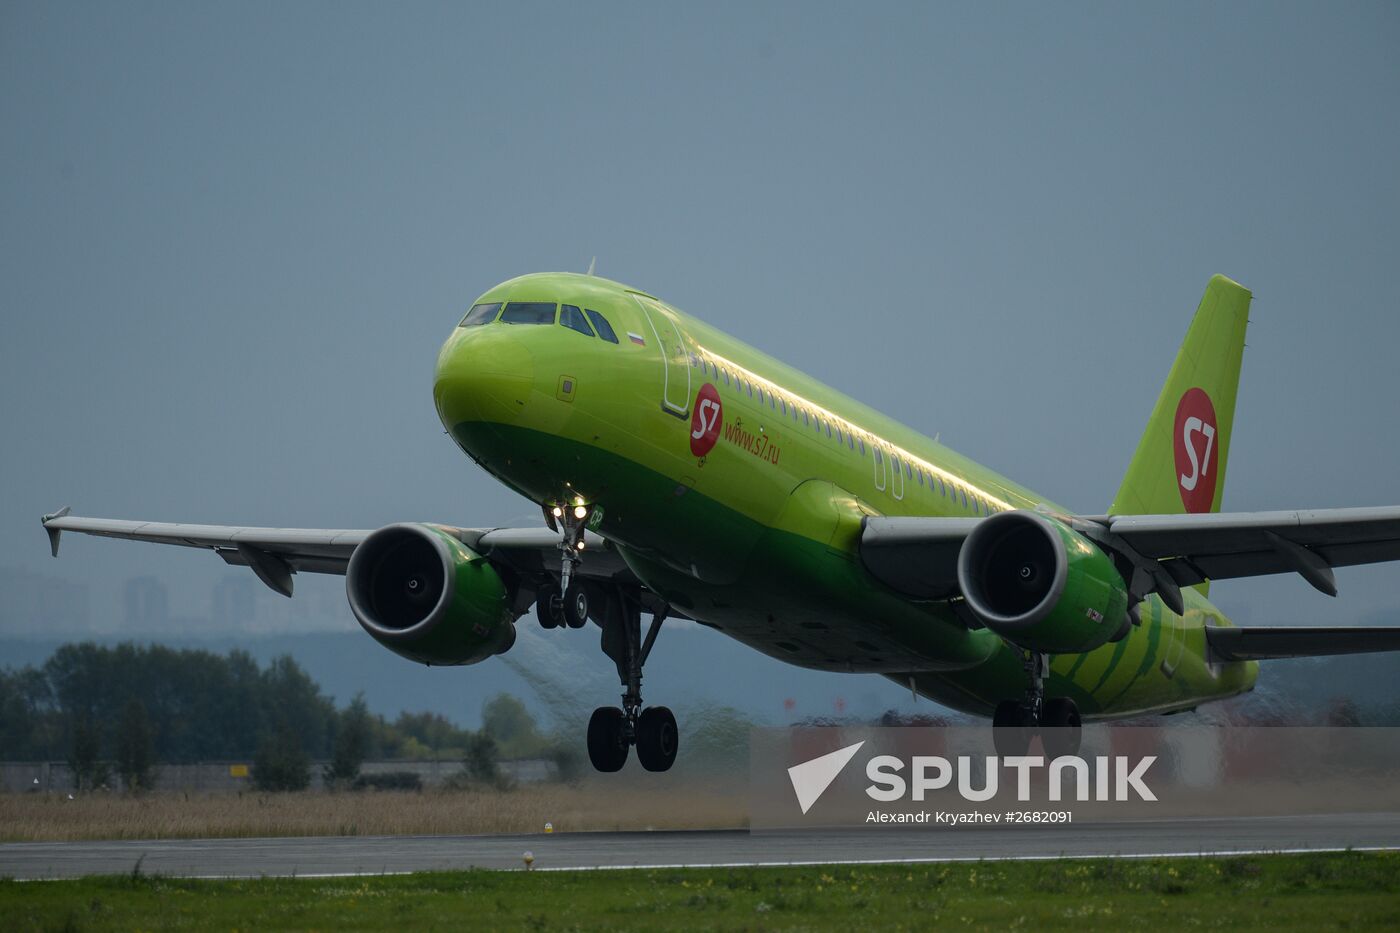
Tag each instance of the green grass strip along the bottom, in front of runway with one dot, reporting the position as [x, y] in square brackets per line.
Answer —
[1287, 892]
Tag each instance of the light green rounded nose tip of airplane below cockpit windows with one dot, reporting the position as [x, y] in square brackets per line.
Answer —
[484, 375]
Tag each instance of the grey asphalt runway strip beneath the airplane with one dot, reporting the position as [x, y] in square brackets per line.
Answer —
[380, 855]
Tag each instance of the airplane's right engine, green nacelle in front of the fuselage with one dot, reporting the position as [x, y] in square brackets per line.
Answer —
[1041, 585]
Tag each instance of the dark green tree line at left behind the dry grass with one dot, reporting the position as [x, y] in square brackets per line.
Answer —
[120, 712]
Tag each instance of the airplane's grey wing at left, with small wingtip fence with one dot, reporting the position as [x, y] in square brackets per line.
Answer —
[276, 554]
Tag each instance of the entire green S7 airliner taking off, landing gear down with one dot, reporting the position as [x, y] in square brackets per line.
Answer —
[684, 474]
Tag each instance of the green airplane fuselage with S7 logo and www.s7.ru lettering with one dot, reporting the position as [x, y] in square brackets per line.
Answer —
[734, 487]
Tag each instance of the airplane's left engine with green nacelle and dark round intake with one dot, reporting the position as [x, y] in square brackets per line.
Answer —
[429, 597]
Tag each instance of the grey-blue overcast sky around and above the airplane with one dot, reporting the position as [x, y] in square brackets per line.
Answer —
[234, 236]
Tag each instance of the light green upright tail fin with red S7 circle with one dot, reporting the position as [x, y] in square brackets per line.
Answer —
[1179, 464]
